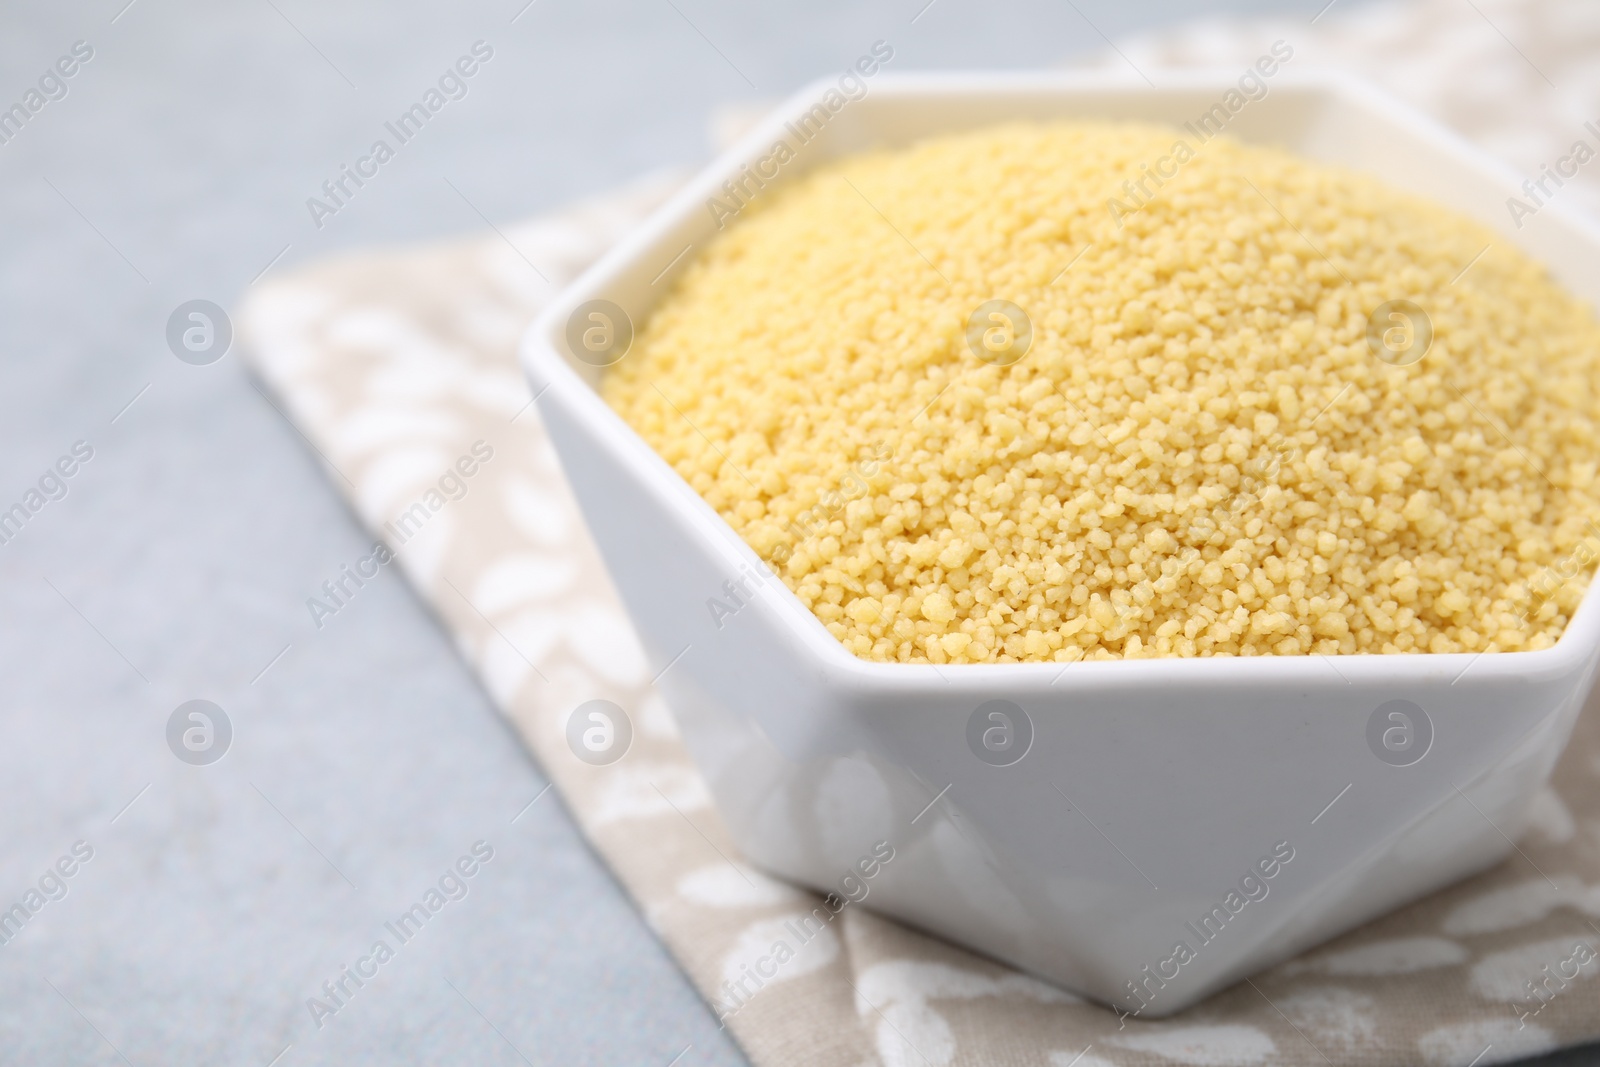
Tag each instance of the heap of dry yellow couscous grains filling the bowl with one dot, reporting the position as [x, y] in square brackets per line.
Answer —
[1007, 398]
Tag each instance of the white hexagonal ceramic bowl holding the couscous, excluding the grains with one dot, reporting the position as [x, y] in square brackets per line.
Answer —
[1148, 791]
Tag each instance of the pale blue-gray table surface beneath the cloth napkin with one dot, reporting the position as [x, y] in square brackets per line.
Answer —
[367, 759]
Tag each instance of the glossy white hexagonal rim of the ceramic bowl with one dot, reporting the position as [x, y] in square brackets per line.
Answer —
[554, 382]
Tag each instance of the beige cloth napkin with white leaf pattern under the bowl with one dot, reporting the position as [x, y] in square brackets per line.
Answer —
[399, 369]
